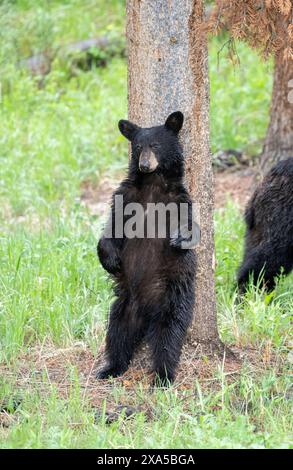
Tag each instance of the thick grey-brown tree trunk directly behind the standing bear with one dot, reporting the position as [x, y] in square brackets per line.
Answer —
[168, 71]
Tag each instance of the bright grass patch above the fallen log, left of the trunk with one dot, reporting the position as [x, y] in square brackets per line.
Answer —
[32, 26]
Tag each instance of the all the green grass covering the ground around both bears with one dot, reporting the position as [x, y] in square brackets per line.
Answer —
[54, 292]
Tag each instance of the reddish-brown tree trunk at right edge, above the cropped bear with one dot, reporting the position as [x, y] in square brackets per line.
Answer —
[279, 139]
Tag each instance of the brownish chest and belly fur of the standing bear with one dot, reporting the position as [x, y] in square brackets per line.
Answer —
[150, 260]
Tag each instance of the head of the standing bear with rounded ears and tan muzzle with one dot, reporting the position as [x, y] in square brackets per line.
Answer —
[155, 149]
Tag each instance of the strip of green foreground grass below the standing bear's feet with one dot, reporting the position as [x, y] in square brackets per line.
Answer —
[253, 416]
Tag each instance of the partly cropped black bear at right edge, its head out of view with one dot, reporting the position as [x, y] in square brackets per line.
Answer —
[269, 228]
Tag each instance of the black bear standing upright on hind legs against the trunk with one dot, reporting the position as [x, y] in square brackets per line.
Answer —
[154, 276]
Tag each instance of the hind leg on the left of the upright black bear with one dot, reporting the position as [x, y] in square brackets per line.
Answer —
[123, 336]
